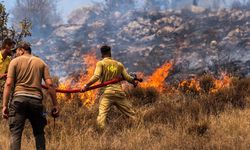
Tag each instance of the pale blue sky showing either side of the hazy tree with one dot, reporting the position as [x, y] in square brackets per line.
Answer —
[64, 6]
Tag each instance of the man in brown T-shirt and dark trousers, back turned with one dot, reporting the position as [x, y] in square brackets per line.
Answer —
[26, 73]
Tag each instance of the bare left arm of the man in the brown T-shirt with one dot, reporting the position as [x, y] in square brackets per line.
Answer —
[6, 95]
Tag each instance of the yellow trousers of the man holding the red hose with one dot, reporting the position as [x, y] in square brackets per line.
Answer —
[117, 99]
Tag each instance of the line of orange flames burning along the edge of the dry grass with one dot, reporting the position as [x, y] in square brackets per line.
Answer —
[156, 80]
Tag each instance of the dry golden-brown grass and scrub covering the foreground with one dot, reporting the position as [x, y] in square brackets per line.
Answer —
[165, 121]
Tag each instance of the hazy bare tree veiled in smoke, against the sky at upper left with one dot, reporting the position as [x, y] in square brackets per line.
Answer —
[42, 13]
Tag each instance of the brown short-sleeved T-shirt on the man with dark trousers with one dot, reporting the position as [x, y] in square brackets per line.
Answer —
[28, 72]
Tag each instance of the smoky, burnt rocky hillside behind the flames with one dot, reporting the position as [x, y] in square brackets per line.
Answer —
[195, 39]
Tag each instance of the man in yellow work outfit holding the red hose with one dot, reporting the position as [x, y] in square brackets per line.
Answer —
[106, 70]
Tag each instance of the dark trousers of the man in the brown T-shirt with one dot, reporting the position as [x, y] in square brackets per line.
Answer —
[22, 108]
